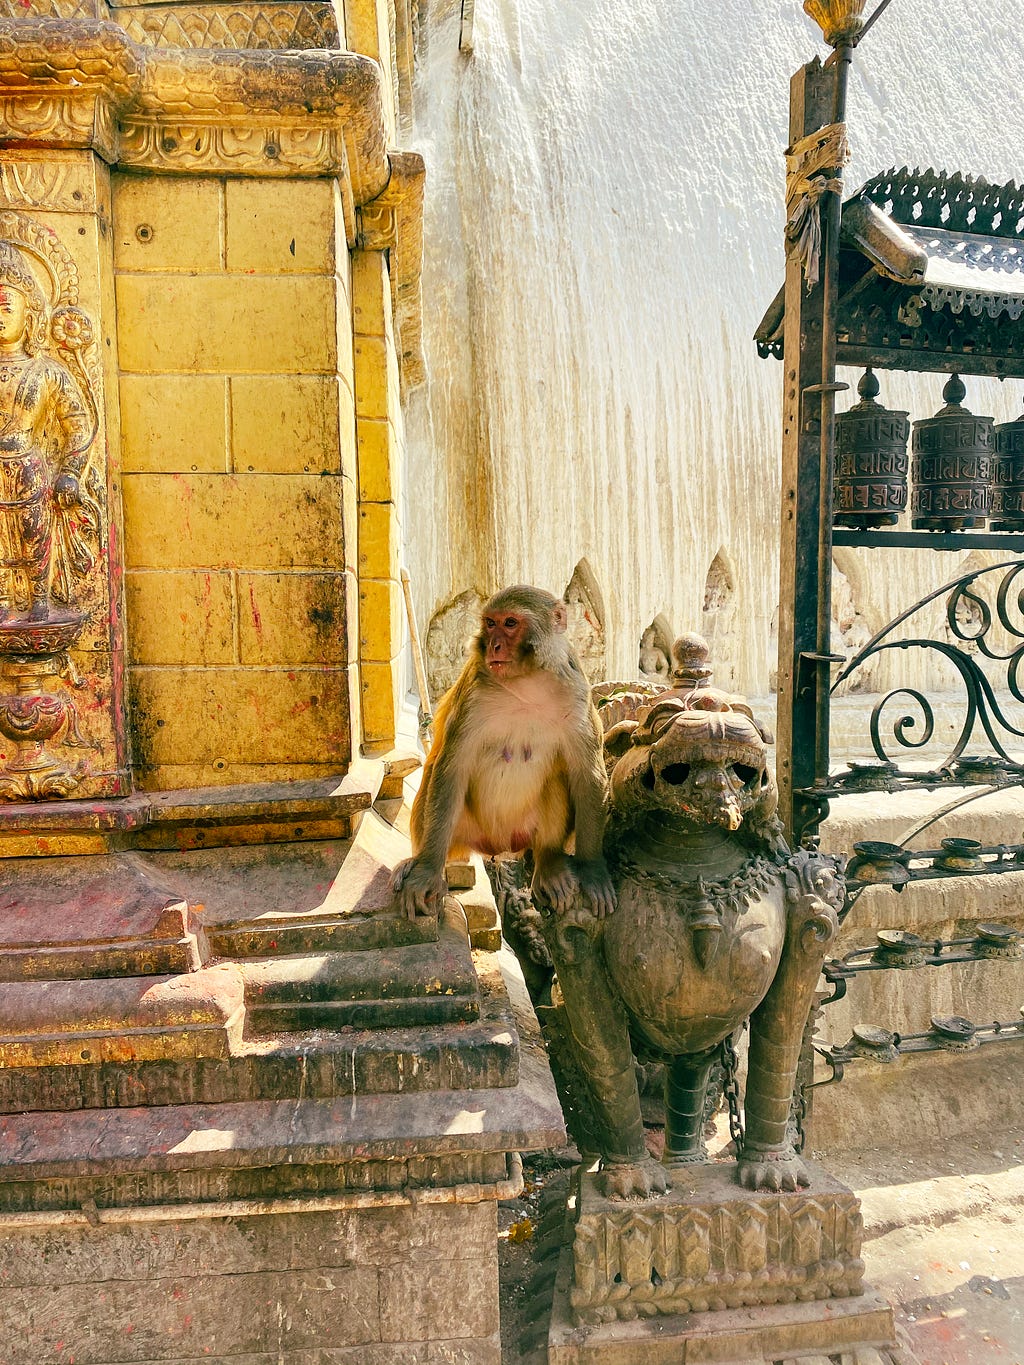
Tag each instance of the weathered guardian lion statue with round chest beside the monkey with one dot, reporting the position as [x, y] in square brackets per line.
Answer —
[717, 923]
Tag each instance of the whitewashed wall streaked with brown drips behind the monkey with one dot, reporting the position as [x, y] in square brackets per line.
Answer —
[603, 235]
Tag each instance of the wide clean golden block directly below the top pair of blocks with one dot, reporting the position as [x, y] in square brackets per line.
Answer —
[252, 324]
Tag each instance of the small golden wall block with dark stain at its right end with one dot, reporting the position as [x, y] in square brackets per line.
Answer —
[291, 619]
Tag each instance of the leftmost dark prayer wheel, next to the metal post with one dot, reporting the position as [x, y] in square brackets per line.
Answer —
[870, 484]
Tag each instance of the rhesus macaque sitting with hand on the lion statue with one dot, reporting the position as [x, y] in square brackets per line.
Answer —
[515, 764]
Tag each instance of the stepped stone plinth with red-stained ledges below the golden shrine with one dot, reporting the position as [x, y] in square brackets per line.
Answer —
[214, 1018]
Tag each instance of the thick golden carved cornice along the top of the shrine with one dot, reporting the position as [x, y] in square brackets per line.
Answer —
[85, 84]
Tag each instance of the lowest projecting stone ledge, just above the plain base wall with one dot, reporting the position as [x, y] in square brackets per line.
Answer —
[268, 1149]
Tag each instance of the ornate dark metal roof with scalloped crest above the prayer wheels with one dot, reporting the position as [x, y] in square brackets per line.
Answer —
[932, 276]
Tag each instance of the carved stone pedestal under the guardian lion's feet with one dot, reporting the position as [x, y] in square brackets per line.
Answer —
[715, 1273]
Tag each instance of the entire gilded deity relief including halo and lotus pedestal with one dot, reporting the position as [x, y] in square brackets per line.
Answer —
[50, 515]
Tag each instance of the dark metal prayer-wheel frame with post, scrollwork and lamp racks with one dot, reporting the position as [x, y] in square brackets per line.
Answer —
[809, 347]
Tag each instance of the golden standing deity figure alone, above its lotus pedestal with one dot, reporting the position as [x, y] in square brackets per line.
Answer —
[47, 519]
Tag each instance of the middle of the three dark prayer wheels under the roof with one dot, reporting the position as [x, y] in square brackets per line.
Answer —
[952, 466]
